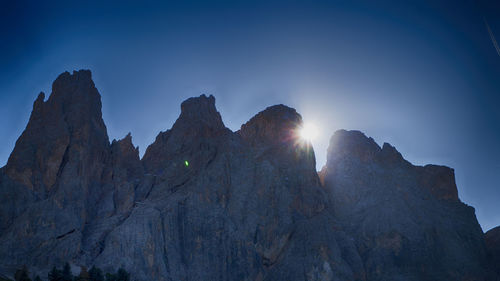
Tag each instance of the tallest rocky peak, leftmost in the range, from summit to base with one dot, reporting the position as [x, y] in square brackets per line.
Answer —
[61, 177]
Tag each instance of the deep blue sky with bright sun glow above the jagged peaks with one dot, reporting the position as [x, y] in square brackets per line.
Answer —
[423, 76]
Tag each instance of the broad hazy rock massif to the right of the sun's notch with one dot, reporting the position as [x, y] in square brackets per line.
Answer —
[407, 221]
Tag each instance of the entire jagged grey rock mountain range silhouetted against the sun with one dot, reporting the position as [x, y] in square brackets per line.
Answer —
[206, 203]
